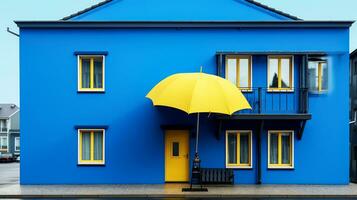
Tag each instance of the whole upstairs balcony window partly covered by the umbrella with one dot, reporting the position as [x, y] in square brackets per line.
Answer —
[239, 71]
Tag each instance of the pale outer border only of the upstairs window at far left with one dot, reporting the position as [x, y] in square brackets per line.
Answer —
[89, 90]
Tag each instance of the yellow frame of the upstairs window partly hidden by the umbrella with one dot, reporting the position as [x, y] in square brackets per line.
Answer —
[237, 58]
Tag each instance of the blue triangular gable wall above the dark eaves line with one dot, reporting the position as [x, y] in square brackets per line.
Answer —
[179, 10]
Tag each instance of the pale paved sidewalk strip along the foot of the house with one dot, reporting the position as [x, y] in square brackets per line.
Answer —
[174, 191]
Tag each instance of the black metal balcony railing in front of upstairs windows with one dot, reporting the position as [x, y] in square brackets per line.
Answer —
[274, 101]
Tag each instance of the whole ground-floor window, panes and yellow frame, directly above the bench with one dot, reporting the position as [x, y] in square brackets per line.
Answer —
[239, 149]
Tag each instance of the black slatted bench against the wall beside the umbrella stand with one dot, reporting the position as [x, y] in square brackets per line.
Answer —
[217, 176]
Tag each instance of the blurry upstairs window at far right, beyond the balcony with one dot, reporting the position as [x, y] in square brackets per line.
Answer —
[318, 76]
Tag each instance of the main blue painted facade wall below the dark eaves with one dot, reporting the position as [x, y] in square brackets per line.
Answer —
[136, 61]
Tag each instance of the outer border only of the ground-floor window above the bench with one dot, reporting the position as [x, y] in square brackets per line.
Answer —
[238, 166]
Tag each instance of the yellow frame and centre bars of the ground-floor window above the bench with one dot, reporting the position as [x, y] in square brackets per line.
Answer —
[238, 133]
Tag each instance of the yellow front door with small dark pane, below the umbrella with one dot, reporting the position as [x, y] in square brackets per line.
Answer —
[177, 156]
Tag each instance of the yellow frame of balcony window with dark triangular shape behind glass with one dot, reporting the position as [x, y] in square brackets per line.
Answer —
[291, 74]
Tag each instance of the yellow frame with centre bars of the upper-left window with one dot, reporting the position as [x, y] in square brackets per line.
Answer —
[91, 73]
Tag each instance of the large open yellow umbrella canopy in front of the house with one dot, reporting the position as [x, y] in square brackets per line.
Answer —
[197, 93]
